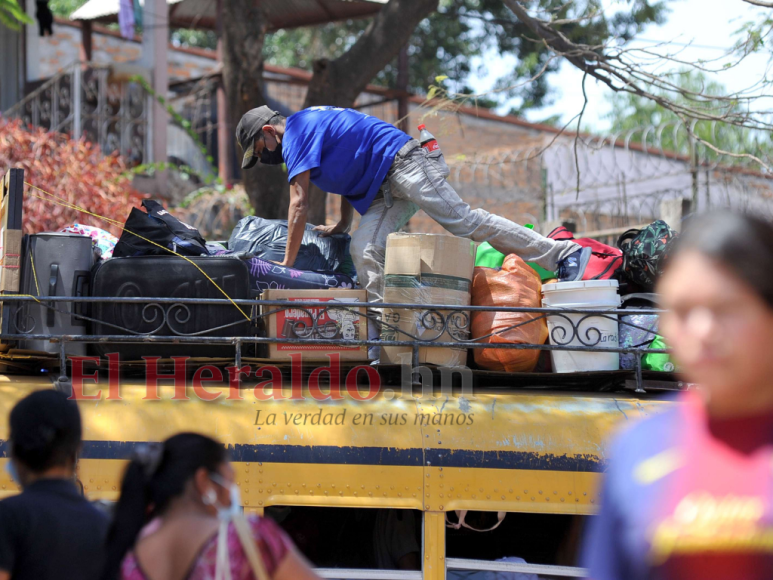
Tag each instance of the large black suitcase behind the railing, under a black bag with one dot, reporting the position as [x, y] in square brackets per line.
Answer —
[170, 277]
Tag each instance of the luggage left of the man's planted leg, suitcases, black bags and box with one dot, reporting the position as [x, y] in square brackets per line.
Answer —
[159, 256]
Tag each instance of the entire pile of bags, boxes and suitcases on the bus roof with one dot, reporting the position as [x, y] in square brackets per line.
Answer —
[163, 273]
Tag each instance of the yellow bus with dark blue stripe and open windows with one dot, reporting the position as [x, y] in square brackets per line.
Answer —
[351, 479]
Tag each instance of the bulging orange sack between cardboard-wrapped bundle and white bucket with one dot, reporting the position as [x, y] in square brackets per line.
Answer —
[515, 284]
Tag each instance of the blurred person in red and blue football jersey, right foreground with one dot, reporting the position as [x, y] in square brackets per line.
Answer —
[689, 492]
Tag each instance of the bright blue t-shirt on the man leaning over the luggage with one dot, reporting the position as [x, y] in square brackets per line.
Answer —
[348, 152]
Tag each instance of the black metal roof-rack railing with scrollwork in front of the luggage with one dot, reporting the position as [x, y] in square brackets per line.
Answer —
[174, 321]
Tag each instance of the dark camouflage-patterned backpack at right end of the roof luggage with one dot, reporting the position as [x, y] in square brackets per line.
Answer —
[645, 253]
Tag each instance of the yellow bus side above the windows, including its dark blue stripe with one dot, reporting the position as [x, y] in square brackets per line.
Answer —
[496, 451]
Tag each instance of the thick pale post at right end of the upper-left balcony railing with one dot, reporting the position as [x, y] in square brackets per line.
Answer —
[155, 42]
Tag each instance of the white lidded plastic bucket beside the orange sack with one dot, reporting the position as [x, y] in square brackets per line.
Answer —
[600, 331]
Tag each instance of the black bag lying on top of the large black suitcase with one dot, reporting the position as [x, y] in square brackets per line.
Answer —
[161, 227]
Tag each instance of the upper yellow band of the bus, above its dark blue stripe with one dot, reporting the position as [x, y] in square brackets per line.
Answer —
[551, 425]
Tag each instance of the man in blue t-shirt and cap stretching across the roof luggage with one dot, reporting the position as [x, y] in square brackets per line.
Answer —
[387, 177]
